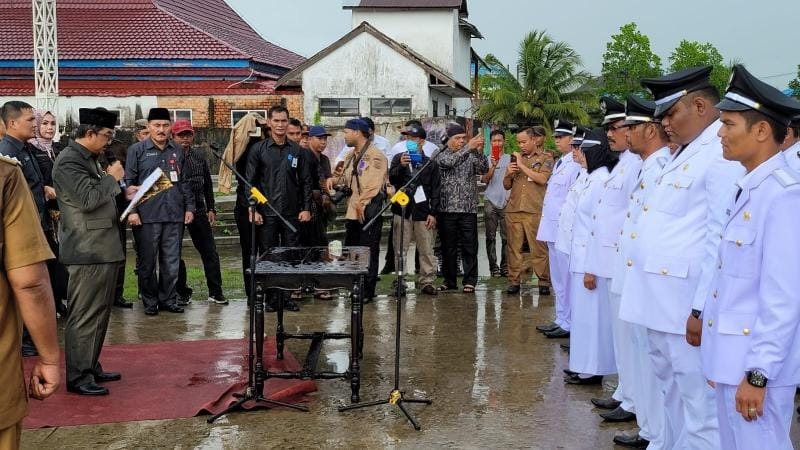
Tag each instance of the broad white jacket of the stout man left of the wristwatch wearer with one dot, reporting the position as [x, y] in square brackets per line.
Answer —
[673, 253]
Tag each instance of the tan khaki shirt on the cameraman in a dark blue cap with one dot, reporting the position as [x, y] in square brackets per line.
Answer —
[372, 172]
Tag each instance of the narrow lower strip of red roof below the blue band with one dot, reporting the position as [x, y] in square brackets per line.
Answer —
[127, 88]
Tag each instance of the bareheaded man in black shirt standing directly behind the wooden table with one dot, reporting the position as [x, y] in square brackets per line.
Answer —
[277, 167]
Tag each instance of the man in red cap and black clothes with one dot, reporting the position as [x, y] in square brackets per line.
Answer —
[198, 176]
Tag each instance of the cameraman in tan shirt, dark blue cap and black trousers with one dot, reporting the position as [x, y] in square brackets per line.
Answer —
[362, 178]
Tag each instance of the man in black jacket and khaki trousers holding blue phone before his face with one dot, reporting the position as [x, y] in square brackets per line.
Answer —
[419, 219]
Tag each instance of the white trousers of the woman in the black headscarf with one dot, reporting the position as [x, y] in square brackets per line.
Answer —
[591, 347]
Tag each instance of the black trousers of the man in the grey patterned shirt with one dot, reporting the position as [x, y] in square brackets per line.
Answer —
[459, 231]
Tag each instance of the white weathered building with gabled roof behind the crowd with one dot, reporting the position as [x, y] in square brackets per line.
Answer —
[403, 59]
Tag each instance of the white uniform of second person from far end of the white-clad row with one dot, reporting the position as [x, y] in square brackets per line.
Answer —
[563, 246]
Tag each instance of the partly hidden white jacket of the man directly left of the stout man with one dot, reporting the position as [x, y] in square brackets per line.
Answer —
[651, 169]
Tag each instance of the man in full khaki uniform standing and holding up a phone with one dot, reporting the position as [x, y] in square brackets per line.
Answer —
[526, 178]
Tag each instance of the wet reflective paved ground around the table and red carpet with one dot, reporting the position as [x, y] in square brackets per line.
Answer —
[494, 380]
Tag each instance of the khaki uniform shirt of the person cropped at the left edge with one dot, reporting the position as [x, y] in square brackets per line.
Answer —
[22, 243]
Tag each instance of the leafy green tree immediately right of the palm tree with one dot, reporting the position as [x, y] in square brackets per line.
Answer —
[627, 60]
